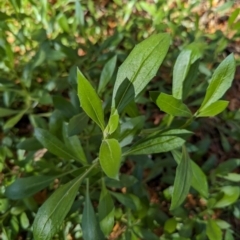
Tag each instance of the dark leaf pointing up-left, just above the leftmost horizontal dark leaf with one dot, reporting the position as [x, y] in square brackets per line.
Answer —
[52, 144]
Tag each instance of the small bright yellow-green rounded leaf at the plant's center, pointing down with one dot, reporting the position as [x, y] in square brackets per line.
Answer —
[110, 157]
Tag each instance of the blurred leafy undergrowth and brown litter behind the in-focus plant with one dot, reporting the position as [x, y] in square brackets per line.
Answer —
[42, 43]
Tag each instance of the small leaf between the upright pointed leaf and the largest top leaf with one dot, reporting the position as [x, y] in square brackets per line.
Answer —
[107, 73]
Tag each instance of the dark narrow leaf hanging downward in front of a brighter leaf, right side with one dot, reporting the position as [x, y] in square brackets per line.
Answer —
[182, 181]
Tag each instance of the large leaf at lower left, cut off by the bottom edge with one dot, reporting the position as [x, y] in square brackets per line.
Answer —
[52, 213]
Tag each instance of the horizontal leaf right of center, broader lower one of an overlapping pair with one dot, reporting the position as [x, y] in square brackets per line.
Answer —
[155, 145]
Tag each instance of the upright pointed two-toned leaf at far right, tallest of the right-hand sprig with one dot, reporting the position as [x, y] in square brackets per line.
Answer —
[220, 81]
